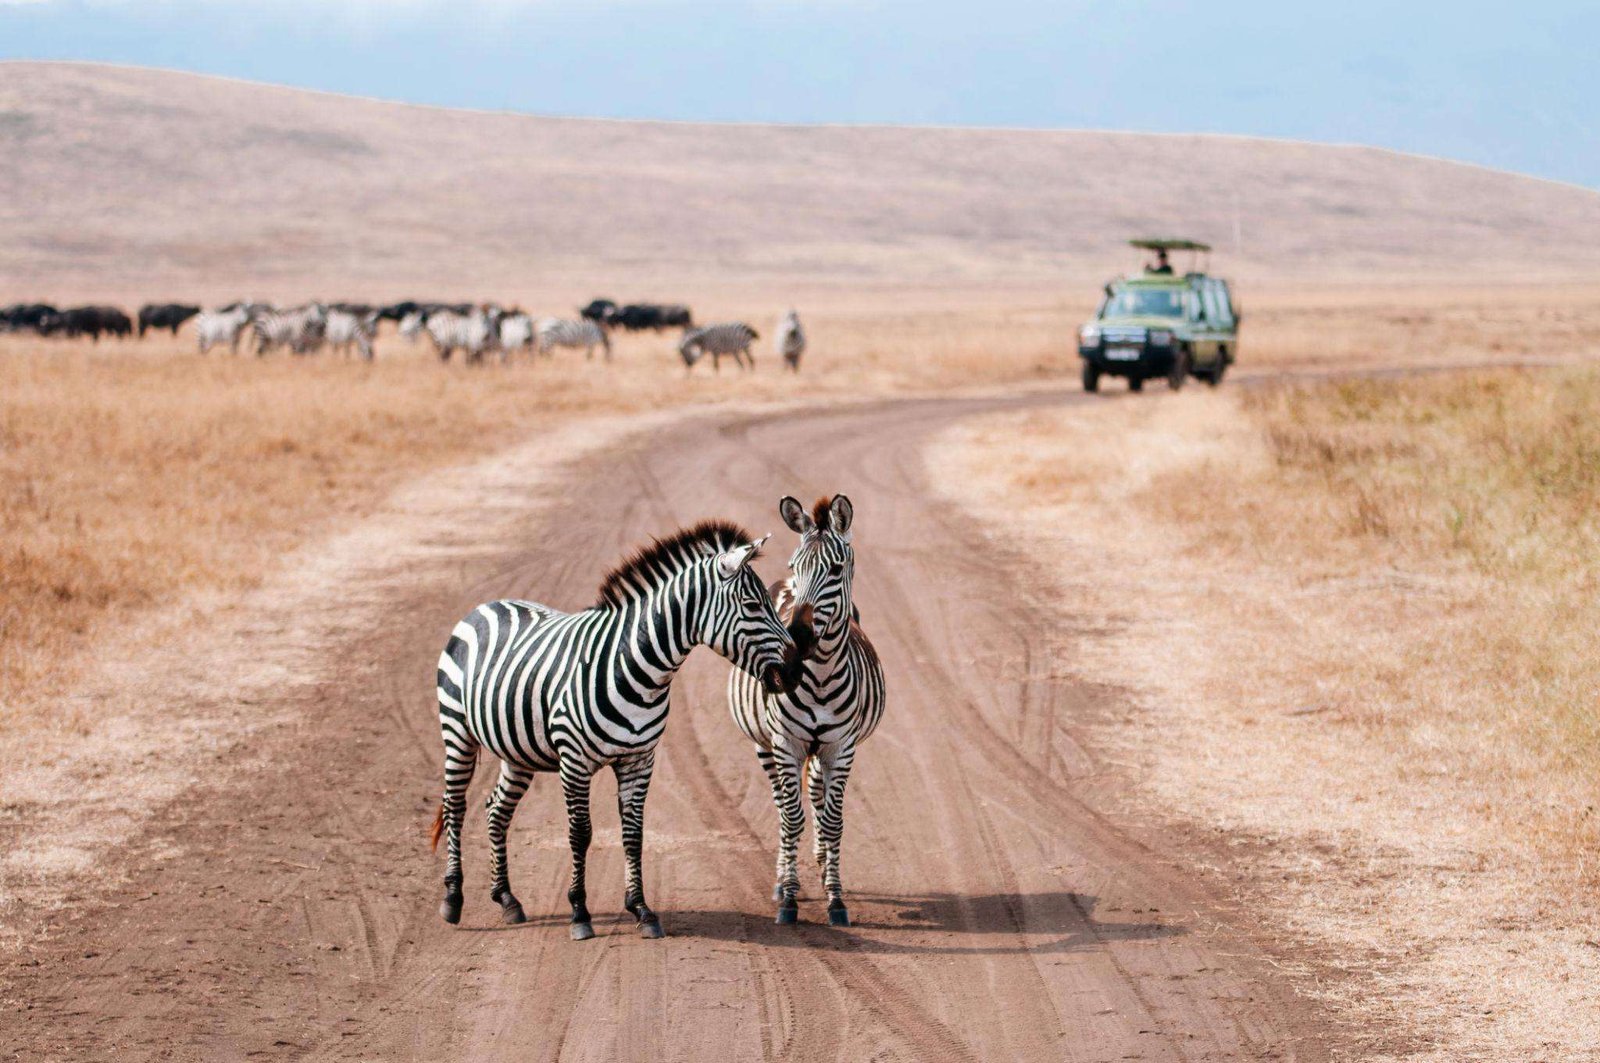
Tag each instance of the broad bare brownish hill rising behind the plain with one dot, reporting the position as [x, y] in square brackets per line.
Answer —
[130, 180]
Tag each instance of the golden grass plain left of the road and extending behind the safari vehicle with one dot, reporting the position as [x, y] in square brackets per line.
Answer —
[132, 473]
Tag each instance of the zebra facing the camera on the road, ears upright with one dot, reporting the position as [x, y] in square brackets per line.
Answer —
[833, 705]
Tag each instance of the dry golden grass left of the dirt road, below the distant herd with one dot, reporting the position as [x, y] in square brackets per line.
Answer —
[135, 473]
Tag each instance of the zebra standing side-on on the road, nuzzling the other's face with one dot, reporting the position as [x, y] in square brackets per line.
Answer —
[578, 692]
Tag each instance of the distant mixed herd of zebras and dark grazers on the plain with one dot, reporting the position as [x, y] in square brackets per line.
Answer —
[474, 329]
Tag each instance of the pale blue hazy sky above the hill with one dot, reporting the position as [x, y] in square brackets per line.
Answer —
[1511, 87]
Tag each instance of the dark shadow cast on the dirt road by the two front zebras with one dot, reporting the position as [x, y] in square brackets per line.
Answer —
[935, 925]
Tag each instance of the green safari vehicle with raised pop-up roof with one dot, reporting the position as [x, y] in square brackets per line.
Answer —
[1161, 324]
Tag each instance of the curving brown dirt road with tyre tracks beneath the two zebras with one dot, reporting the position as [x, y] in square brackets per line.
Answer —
[287, 909]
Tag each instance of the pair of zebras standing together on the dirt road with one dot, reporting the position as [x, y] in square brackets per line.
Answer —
[575, 694]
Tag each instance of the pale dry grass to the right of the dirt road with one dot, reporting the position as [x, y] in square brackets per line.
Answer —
[1361, 620]
